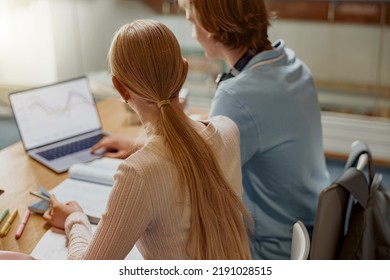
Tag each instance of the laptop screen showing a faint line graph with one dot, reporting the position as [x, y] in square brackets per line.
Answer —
[56, 112]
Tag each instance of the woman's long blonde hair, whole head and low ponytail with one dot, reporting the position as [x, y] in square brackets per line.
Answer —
[146, 58]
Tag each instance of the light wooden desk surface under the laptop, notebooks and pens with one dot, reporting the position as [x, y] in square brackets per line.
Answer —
[19, 175]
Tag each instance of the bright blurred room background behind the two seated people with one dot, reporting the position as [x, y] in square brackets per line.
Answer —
[346, 44]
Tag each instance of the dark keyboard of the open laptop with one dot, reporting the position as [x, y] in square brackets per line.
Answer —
[70, 148]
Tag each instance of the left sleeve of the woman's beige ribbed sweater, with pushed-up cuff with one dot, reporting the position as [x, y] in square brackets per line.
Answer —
[128, 214]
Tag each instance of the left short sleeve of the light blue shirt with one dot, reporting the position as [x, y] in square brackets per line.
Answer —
[227, 104]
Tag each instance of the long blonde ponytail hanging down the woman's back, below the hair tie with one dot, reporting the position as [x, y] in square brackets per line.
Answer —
[217, 212]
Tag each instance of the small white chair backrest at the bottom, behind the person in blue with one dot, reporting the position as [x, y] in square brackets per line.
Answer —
[300, 245]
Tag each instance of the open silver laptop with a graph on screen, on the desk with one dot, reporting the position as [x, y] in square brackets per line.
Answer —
[58, 123]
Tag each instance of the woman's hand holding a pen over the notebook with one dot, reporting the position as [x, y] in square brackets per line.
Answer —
[58, 212]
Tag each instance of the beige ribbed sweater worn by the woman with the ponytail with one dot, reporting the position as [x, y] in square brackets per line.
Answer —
[144, 205]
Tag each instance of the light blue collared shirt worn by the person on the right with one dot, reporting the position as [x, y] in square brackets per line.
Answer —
[274, 103]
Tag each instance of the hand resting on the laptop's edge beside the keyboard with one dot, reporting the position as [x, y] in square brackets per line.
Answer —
[117, 146]
